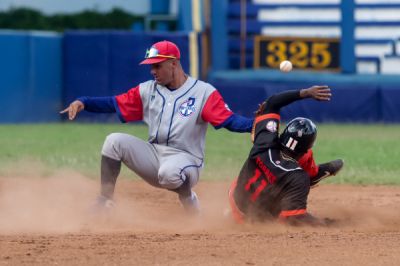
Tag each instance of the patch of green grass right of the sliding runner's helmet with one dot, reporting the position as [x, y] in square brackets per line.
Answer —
[371, 152]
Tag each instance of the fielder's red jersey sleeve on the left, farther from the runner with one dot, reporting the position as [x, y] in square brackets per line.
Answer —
[129, 105]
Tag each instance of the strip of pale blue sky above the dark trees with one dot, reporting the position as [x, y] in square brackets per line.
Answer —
[71, 6]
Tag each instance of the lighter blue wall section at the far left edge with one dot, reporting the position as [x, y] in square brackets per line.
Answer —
[31, 80]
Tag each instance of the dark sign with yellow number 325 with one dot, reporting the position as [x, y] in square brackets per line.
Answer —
[304, 53]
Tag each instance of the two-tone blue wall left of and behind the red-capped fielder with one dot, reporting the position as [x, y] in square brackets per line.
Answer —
[42, 72]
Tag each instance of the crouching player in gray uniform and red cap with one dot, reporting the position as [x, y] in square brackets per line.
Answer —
[177, 109]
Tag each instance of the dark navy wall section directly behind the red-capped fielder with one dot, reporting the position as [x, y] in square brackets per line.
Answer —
[105, 63]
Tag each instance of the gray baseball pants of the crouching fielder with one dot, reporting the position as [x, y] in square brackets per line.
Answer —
[159, 165]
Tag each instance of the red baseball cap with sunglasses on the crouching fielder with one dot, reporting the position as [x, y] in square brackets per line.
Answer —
[160, 52]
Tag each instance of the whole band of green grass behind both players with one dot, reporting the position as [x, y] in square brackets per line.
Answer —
[371, 152]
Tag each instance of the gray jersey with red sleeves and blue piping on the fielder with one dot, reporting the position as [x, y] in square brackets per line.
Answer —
[176, 118]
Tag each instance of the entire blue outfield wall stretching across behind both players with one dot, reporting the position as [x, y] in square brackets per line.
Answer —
[43, 72]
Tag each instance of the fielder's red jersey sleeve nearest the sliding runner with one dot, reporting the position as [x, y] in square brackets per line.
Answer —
[215, 110]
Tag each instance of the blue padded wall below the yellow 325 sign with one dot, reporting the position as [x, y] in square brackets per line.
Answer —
[356, 98]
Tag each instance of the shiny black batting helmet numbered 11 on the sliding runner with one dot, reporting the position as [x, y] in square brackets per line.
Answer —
[298, 136]
